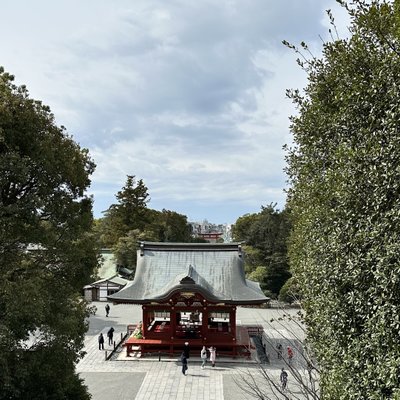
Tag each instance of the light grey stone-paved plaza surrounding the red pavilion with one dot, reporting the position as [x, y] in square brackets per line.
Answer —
[161, 377]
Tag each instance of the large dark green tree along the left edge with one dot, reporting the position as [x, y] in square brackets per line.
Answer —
[46, 252]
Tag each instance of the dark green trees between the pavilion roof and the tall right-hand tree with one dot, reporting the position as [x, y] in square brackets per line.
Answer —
[265, 234]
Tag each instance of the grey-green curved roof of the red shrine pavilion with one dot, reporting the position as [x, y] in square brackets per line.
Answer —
[215, 270]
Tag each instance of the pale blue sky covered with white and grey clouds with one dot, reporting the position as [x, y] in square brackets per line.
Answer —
[188, 95]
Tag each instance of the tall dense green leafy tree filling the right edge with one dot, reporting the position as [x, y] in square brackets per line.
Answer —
[345, 199]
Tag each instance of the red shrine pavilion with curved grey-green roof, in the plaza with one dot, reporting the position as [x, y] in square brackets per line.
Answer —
[189, 293]
